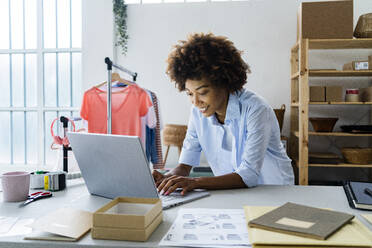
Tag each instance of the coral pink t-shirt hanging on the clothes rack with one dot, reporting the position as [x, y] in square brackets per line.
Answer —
[127, 105]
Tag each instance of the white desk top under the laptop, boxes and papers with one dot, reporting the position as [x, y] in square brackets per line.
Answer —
[77, 196]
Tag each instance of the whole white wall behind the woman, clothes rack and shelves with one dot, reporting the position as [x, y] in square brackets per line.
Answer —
[264, 29]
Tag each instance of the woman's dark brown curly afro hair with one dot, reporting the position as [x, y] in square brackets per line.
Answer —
[208, 57]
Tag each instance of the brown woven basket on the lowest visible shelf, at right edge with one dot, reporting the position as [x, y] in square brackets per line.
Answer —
[357, 155]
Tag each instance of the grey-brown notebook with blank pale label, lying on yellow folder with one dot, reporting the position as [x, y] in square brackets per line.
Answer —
[302, 221]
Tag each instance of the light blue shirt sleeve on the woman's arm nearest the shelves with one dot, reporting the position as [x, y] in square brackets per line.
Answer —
[258, 129]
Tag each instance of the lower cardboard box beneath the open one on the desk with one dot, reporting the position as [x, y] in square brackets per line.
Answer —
[127, 233]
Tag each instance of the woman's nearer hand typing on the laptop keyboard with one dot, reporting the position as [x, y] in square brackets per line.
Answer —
[170, 184]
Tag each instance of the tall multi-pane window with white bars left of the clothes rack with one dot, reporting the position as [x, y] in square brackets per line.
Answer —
[40, 75]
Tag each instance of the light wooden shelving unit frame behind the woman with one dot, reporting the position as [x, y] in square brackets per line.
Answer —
[300, 74]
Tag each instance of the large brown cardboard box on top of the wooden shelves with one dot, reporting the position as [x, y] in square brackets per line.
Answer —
[325, 20]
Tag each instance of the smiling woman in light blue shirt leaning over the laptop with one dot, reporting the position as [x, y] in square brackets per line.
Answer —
[235, 128]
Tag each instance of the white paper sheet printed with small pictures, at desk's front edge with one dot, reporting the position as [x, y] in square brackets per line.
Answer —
[199, 227]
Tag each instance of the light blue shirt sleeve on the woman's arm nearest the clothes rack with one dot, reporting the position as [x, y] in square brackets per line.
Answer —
[191, 149]
